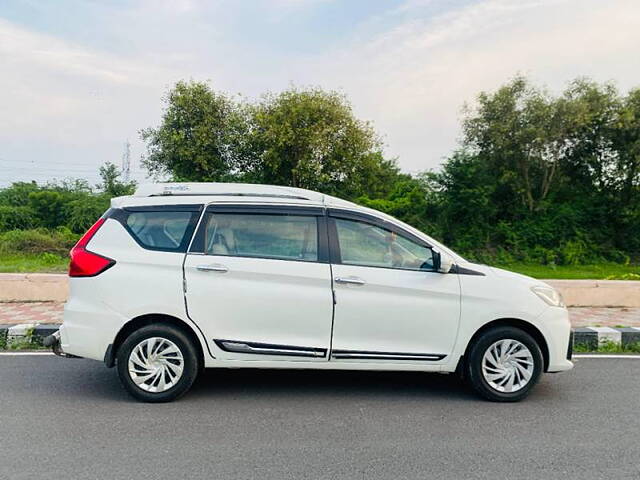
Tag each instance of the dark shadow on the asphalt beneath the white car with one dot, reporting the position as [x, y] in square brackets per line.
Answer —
[89, 379]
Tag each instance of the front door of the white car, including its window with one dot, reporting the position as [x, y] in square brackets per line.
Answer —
[391, 305]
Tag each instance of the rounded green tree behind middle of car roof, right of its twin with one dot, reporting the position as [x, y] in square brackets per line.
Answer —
[311, 139]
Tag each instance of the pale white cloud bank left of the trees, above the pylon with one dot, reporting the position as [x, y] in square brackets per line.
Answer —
[63, 103]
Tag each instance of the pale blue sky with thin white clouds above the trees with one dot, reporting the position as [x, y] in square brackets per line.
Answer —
[78, 79]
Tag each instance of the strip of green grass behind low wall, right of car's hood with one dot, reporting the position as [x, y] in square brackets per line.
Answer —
[603, 271]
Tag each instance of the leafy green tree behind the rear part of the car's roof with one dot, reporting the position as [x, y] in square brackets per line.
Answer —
[202, 136]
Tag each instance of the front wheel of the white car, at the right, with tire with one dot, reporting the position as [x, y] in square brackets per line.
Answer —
[504, 364]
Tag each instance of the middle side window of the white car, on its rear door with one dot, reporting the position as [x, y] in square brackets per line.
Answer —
[285, 237]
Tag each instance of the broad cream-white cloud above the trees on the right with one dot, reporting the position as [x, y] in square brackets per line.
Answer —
[413, 79]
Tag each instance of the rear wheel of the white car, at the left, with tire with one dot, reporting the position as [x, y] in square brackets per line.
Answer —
[157, 363]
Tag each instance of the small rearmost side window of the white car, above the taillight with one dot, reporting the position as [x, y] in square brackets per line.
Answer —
[166, 229]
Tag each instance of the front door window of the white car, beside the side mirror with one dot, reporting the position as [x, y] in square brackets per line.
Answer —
[365, 244]
